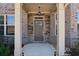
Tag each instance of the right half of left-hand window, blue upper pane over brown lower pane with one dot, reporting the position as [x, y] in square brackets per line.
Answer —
[10, 25]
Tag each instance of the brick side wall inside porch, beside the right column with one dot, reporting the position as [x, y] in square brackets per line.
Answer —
[53, 38]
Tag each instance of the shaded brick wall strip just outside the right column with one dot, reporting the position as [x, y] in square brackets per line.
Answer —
[68, 26]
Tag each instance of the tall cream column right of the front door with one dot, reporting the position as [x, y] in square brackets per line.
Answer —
[60, 29]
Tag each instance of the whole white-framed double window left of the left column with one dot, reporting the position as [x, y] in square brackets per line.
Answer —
[7, 25]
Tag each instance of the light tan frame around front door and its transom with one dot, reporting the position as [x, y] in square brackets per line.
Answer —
[43, 28]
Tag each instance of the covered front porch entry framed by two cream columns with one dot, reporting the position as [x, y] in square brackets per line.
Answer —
[24, 32]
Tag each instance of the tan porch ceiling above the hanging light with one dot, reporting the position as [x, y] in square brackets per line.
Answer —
[45, 7]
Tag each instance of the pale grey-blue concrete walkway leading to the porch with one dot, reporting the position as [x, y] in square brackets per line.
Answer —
[38, 49]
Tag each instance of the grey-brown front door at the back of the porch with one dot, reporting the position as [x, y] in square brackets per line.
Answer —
[38, 30]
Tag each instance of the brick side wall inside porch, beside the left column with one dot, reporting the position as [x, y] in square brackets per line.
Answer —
[25, 38]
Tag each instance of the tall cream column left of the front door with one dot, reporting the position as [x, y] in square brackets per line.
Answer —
[18, 31]
